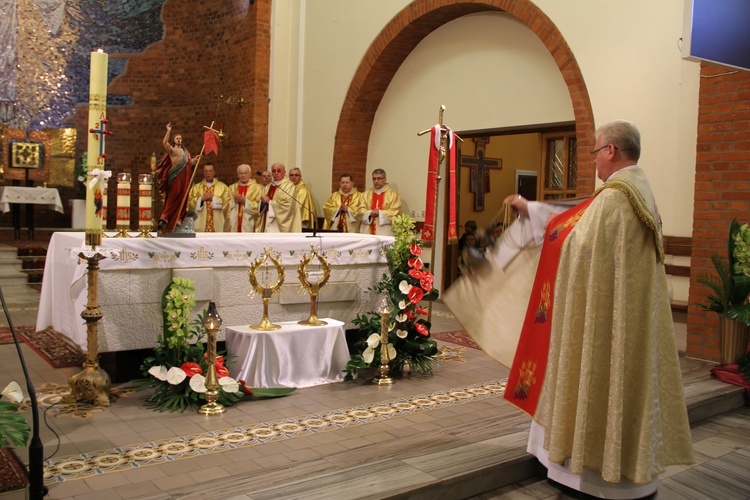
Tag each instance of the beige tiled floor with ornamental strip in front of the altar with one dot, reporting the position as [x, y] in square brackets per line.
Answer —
[356, 440]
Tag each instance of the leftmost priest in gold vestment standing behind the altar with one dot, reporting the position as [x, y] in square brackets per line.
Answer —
[211, 201]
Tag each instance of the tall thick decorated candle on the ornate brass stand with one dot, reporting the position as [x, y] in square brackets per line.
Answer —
[96, 185]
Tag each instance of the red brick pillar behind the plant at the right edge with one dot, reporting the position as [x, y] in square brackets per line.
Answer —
[722, 188]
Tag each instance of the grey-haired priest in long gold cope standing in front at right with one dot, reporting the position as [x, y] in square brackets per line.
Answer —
[610, 414]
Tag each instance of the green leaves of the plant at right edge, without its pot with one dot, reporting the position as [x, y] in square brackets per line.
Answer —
[731, 284]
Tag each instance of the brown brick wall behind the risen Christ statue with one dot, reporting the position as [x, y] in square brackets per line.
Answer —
[210, 49]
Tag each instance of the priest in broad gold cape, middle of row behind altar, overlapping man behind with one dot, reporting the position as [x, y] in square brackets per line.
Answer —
[279, 208]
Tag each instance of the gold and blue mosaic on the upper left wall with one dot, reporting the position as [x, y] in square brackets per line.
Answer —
[44, 53]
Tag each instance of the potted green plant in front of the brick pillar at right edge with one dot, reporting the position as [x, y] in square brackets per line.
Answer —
[731, 293]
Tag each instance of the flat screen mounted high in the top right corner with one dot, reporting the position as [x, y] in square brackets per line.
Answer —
[717, 31]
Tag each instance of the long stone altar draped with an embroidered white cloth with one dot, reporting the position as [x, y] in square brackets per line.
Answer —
[132, 281]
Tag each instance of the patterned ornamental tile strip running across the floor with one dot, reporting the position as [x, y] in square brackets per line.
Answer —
[62, 469]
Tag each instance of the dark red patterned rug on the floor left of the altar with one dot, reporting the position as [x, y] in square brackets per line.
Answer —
[52, 346]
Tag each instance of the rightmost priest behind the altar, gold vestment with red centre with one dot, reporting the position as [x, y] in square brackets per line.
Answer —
[382, 203]
